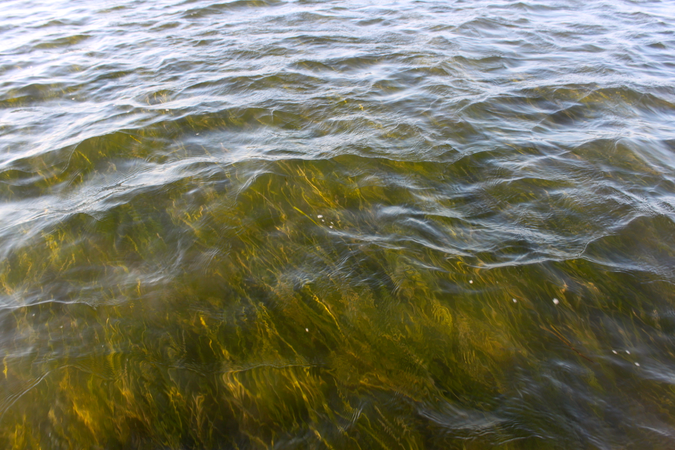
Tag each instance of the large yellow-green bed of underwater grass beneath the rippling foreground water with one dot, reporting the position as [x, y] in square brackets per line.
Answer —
[288, 304]
